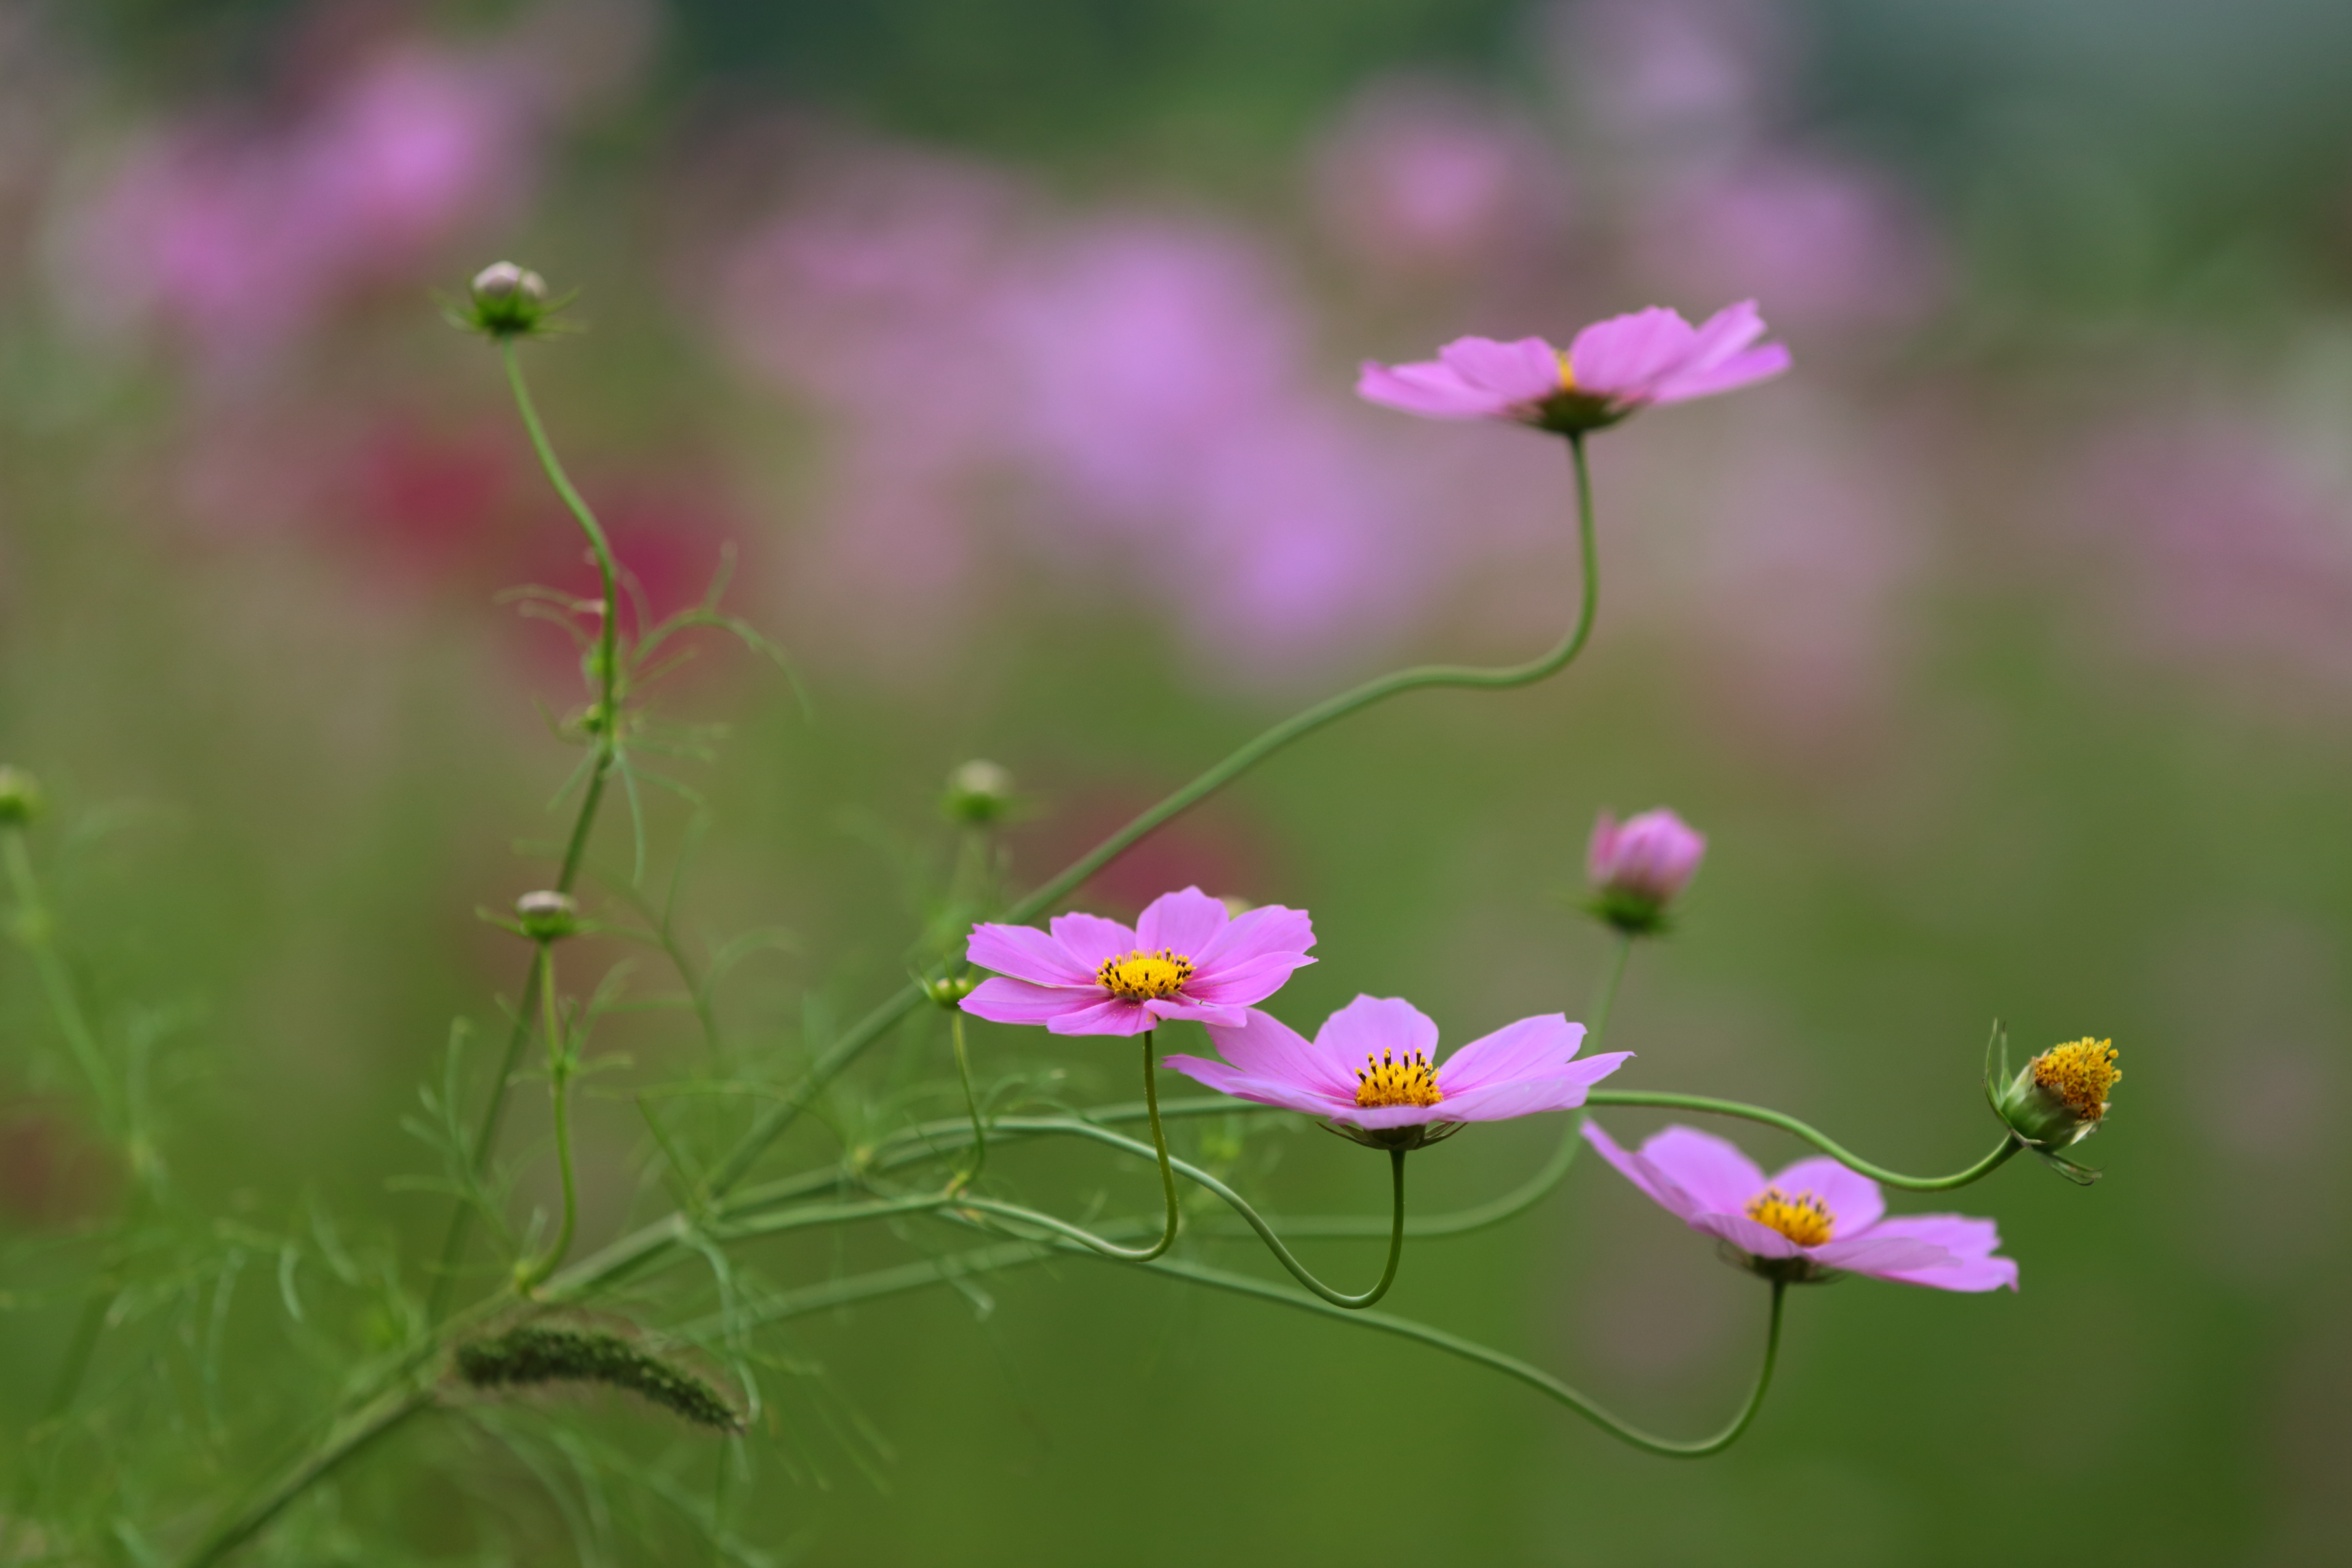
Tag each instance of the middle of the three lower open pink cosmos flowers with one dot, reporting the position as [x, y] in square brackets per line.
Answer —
[1372, 1071]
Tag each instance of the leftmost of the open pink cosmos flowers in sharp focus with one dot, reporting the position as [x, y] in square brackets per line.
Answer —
[1187, 958]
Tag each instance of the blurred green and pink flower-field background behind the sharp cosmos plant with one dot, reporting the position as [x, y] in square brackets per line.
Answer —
[2003, 650]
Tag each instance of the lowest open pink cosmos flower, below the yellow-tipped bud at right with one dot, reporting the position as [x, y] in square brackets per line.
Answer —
[1810, 1221]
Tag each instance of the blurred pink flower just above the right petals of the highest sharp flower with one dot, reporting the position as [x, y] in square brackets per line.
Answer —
[1829, 243]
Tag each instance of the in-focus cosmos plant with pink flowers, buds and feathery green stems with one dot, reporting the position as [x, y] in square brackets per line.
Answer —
[674, 1311]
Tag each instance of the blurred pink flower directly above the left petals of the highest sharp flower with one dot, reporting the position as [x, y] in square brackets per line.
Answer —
[1424, 180]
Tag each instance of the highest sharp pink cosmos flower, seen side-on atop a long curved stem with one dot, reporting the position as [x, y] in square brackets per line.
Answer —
[1612, 370]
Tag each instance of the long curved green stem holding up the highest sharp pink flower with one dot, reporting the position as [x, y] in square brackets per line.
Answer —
[1236, 763]
